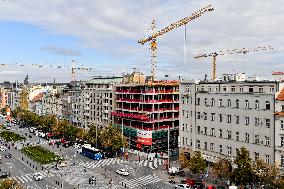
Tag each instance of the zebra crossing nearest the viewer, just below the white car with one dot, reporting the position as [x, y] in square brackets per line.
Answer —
[141, 181]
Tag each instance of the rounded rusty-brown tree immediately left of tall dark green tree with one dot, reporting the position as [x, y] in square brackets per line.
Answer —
[222, 169]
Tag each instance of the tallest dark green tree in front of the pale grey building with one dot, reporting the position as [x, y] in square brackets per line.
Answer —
[243, 174]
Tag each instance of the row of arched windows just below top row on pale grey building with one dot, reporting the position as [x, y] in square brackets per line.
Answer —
[211, 103]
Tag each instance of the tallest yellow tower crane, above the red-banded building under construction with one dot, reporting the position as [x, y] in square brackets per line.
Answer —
[153, 37]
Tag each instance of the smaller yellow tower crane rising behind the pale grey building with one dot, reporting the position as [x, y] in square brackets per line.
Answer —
[229, 52]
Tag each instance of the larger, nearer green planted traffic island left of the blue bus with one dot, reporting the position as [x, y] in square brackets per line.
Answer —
[41, 155]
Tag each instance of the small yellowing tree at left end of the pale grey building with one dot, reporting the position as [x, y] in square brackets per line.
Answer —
[197, 164]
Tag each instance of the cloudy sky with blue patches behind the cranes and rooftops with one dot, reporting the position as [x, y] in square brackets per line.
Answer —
[103, 34]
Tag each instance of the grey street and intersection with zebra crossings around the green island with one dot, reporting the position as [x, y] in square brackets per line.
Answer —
[143, 173]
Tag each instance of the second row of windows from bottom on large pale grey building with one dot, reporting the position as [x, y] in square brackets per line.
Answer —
[237, 135]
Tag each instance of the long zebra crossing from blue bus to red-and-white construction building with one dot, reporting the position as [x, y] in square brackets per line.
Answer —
[153, 164]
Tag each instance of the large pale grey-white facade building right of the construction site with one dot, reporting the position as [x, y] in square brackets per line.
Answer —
[218, 118]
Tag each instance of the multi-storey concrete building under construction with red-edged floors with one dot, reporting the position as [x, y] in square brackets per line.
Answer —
[146, 111]
